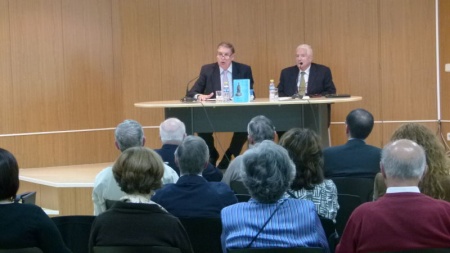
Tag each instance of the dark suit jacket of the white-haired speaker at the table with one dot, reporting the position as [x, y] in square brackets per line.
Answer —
[320, 81]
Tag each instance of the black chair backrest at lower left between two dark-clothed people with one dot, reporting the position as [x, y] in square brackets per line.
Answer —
[75, 231]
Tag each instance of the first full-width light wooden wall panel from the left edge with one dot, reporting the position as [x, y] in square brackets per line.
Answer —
[37, 66]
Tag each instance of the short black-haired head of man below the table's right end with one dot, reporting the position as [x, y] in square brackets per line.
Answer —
[360, 123]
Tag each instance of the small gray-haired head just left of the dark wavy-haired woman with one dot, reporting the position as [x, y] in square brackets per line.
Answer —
[260, 128]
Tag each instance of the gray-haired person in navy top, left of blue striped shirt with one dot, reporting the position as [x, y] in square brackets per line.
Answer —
[192, 195]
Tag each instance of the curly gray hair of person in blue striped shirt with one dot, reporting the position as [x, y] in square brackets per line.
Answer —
[267, 171]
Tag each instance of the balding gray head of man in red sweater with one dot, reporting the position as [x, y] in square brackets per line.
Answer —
[403, 160]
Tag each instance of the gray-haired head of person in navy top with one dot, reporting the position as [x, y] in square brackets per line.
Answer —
[192, 155]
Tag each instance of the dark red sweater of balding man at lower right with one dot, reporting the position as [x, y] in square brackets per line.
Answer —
[397, 221]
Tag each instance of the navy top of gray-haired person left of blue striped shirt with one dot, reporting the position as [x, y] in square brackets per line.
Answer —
[193, 196]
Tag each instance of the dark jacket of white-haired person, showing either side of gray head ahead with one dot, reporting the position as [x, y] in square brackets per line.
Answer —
[167, 153]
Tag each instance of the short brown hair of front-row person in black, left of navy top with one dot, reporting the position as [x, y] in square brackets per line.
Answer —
[138, 170]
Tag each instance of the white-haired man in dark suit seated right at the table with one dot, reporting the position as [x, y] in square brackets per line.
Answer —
[305, 78]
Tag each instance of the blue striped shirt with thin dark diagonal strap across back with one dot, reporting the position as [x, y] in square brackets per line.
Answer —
[295, 224]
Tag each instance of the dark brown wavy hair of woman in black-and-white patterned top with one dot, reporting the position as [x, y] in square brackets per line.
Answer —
[303, 146]
